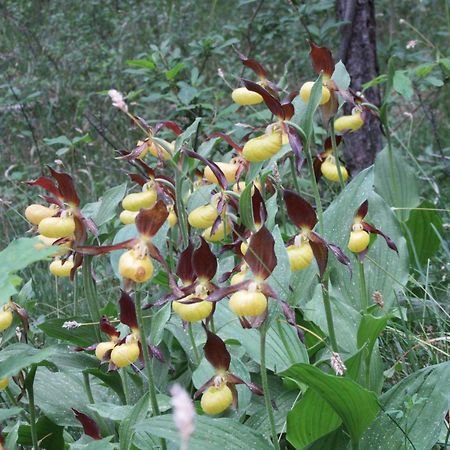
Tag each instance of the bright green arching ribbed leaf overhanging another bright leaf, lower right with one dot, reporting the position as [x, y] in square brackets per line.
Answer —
[356, 406]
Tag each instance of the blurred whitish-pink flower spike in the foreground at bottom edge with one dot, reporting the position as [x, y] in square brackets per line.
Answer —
[183, 413]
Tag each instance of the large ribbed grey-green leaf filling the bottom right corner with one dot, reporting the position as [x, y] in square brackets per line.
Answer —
[418, 404]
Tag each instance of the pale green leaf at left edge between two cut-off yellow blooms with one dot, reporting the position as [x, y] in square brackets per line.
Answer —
[20, 356]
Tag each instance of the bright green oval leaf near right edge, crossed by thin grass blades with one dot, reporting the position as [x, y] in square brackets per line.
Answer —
[423, 229]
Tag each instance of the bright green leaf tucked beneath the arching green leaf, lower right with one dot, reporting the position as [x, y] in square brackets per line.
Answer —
[310, 419]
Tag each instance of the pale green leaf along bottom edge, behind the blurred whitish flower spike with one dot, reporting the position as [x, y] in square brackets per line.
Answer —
[215, 432]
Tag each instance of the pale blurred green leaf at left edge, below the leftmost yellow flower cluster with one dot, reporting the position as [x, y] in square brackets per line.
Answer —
[19, 254]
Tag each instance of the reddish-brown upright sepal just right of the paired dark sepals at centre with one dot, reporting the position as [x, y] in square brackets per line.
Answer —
[260, 255]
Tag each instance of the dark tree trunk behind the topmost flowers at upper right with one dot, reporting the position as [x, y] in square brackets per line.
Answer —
[359, 54]
